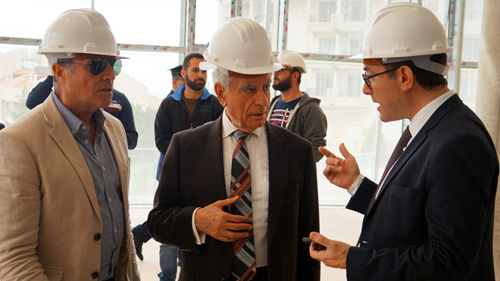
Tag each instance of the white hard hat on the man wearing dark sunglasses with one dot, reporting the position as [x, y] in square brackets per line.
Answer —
[82, 31]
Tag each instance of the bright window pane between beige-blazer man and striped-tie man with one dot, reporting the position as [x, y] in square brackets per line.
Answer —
[146, 80]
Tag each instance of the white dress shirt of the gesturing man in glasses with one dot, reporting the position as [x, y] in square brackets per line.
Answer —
[418, 121]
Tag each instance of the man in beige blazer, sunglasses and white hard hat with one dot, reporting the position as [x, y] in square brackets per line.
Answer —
[64, 167]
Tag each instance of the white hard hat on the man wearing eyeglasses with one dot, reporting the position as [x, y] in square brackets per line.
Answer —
[401, 31]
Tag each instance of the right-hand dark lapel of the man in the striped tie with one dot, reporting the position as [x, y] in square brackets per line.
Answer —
[279, 157]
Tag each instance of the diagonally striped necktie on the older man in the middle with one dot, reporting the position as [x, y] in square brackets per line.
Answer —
[243, 265]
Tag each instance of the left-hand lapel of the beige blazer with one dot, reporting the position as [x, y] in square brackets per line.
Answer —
[66, 142]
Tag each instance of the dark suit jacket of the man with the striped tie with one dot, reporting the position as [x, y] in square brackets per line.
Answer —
[193, 176]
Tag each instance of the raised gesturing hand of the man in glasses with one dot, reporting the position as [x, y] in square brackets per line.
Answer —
[341, 172]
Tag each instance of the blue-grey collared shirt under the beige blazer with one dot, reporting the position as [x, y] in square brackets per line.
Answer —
[106, 178]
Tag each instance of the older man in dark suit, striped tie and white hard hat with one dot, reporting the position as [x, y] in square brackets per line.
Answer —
[238, 194]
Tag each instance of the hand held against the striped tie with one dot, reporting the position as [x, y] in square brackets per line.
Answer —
[221, 225]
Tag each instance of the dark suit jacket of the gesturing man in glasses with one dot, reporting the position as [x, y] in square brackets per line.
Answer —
[433, 218]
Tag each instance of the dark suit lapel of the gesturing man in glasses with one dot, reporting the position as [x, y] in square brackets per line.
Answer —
[451, 103]
